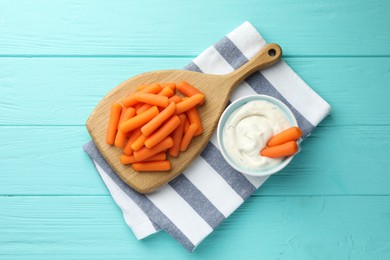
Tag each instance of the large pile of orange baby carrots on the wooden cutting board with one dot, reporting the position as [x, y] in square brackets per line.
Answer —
[153, 121]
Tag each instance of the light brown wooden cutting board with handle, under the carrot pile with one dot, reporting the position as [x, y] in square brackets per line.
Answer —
[217, 89]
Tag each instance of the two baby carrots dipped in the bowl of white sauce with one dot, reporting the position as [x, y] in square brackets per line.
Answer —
[282, 144]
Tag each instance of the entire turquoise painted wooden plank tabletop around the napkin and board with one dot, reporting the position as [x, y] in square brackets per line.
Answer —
[57, 60]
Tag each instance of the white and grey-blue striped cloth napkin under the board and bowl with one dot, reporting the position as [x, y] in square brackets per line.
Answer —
[191, 206]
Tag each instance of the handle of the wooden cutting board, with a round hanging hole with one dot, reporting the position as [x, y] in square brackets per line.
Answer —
[267, 56]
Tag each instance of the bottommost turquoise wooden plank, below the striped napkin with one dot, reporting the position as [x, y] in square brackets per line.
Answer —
[280, 227]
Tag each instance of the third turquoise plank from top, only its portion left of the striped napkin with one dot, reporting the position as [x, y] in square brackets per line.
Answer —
[47, 160]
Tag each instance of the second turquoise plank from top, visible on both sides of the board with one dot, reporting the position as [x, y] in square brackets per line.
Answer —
[59, 91]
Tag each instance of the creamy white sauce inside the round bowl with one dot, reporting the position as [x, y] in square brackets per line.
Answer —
[248, 130]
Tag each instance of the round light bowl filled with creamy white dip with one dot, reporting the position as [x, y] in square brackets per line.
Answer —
[244, 129]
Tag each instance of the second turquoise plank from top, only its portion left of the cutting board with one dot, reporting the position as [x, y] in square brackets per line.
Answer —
[64, 91]
